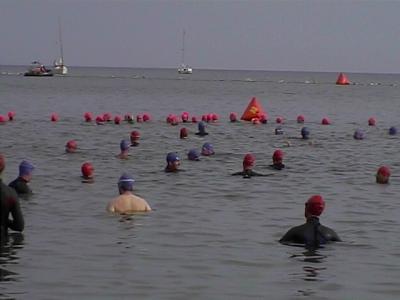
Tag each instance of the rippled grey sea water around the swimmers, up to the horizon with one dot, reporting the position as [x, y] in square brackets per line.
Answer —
[211, 235]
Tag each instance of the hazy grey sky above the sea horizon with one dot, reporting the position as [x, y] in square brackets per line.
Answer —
[309, 35]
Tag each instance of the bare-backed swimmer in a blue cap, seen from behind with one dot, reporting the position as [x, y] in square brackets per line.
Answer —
[127, 202]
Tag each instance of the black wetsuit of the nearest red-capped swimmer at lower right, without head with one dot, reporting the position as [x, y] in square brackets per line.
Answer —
[312, 234]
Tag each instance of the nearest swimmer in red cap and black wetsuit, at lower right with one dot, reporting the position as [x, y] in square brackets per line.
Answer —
[312, 234]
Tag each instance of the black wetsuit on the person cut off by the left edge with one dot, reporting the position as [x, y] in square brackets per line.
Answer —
[9, 204]
